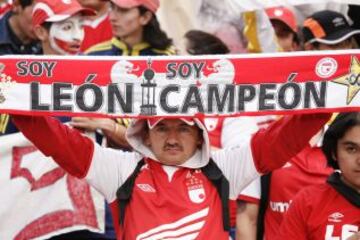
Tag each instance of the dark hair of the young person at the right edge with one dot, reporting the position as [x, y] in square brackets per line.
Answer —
[342, 123]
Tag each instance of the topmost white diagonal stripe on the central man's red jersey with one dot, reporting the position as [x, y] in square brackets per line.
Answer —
[178, 223]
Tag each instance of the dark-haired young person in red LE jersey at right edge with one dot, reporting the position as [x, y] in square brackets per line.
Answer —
[331, 210]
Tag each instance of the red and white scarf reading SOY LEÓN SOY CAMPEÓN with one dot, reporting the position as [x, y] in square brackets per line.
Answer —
[181, 86]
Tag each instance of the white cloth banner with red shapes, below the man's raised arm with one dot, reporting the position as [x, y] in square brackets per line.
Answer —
[38, 199]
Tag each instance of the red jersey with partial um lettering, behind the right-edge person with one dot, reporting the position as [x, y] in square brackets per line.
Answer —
[308, 168]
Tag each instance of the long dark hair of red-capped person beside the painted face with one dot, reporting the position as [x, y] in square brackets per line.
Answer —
[153, 34]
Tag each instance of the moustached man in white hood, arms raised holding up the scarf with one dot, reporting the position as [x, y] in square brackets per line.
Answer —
[171, 195]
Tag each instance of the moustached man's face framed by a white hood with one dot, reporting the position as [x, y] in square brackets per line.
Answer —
[173, 141]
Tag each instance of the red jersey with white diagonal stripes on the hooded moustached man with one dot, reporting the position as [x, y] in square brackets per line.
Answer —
[194, 204]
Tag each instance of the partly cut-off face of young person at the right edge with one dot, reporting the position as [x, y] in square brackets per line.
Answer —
[348, 157]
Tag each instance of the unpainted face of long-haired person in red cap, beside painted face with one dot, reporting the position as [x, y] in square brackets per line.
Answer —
[126, 22]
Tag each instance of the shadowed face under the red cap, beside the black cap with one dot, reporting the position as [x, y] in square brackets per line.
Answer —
[285, 36]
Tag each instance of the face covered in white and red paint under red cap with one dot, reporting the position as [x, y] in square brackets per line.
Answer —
[66, 36]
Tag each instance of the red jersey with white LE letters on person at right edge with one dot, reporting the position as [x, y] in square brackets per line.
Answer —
[320, 212]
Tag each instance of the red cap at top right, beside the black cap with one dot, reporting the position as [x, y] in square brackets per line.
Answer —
[284, 15]
